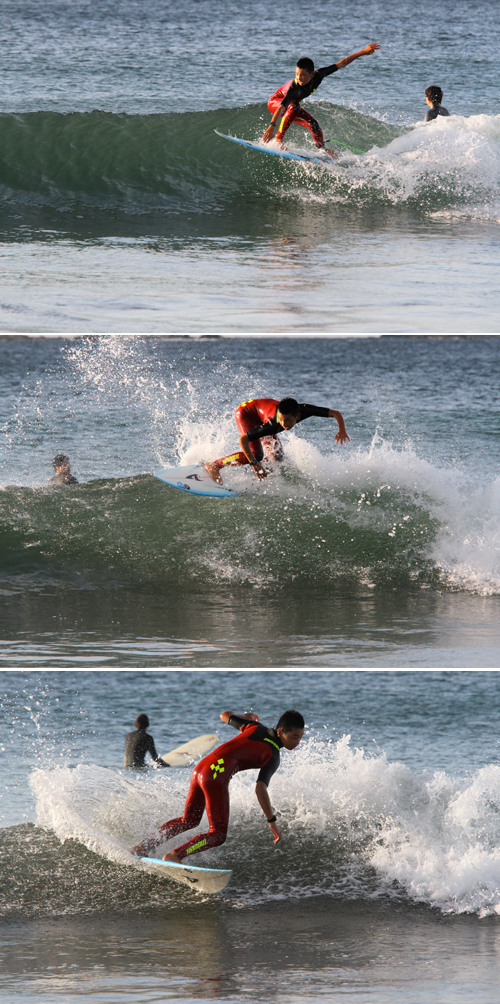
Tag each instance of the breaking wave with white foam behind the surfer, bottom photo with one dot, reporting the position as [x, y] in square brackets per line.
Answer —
[363, 828]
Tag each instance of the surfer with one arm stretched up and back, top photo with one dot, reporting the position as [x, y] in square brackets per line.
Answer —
[285, 105]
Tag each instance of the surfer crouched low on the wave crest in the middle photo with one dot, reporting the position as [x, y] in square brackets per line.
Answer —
[262, 419]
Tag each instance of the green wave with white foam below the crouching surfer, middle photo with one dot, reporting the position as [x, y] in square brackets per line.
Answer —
[376, 520]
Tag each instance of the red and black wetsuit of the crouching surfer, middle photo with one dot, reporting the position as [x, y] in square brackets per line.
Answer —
[258, 419]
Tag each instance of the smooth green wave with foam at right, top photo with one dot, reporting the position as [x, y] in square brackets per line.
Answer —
[174, 163]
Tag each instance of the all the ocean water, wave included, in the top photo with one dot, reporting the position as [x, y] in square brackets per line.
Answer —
[123, 211]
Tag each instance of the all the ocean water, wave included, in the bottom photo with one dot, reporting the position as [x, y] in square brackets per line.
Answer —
[385, 888]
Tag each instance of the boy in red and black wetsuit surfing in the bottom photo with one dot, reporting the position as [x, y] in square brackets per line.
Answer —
[257, 746]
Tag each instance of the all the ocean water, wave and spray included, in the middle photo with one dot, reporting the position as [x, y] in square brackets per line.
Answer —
[384, 553]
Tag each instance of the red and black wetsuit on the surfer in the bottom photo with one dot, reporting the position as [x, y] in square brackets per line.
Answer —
[257, 746]
